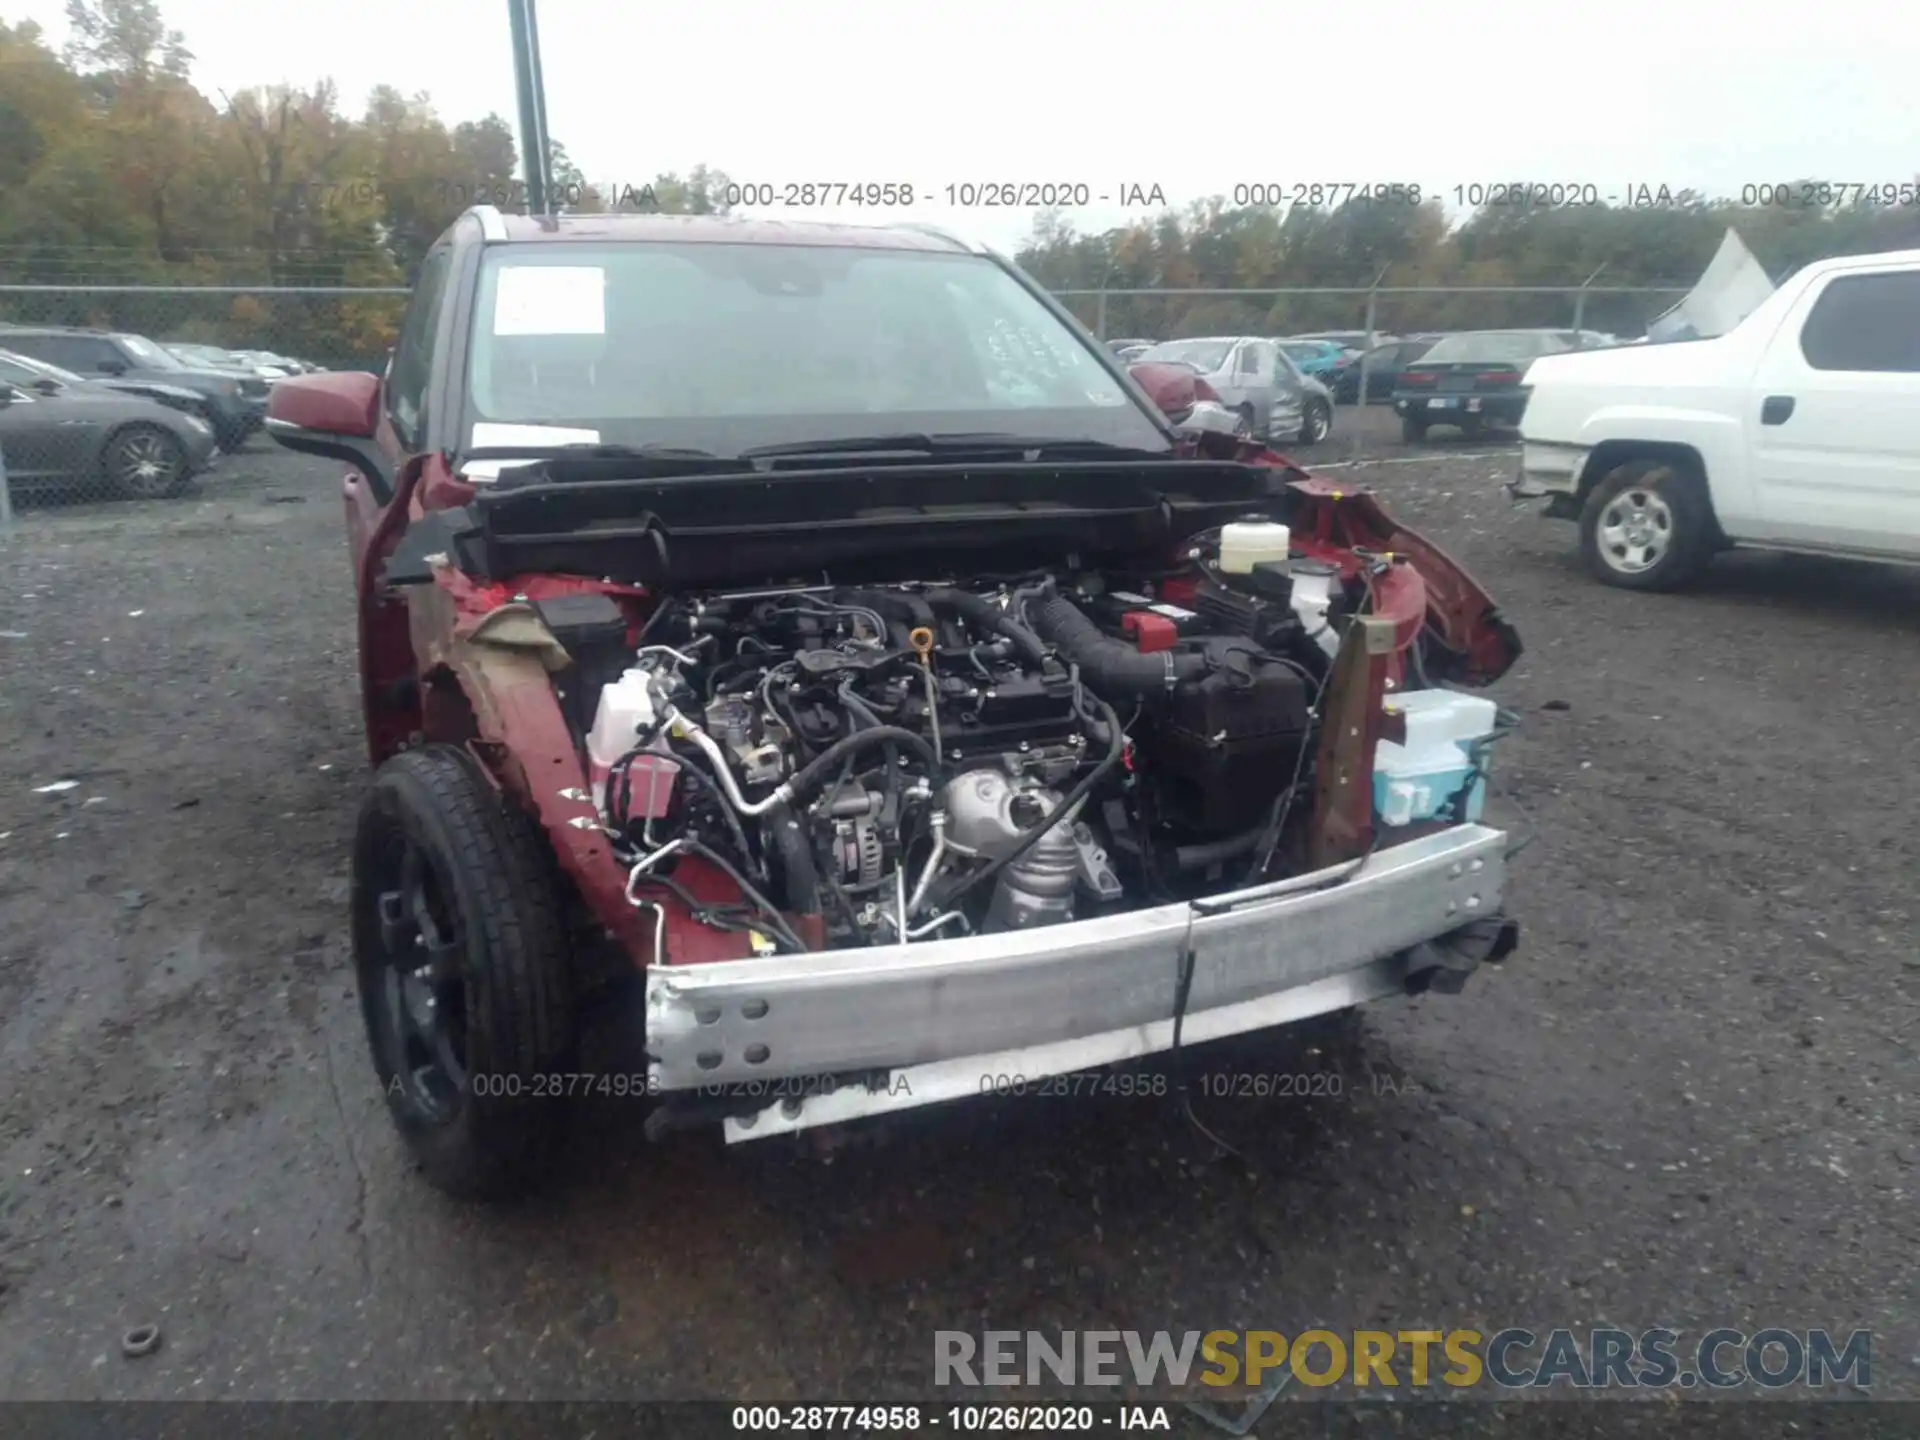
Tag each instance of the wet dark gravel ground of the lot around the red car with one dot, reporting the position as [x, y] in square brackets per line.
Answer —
[1687, 1101]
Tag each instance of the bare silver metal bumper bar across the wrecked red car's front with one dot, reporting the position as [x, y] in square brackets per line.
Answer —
[942, 1015]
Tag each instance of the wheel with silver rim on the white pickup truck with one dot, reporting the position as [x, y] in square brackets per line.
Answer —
[1648, 525]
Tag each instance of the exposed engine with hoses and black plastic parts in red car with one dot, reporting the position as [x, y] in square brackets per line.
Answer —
[869, 767]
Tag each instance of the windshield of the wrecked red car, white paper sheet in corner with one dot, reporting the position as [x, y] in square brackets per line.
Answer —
[732, 347]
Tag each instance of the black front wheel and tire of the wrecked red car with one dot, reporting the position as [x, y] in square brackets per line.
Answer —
[464, 1040]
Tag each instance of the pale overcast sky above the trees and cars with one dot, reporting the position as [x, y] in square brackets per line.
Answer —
[1193, 101]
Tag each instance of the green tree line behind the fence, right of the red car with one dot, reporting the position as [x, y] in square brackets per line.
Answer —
[1658, 241]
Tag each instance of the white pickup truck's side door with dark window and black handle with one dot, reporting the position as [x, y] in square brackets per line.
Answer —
[1835, 418]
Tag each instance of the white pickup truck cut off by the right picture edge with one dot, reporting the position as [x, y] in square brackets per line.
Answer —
[1796, 431]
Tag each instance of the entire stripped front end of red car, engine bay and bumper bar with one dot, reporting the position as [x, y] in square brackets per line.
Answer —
[890, 798]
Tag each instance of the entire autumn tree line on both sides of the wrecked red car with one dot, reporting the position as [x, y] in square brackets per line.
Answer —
[116, 170]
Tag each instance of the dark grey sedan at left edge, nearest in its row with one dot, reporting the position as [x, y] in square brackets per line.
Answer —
[80, 441]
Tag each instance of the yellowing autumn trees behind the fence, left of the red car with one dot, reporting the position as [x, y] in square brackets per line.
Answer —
[116, 170]
